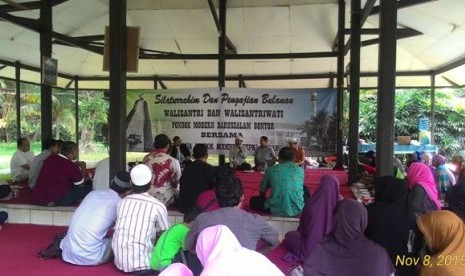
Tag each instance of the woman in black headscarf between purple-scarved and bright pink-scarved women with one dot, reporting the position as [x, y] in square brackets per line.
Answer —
[388, 225]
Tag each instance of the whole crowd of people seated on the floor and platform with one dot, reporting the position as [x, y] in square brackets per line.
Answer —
[335, 236]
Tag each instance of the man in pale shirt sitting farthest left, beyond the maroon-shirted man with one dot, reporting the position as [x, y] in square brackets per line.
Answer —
[21, 161]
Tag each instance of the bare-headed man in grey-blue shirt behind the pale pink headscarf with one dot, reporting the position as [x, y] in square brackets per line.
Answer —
[248, 228]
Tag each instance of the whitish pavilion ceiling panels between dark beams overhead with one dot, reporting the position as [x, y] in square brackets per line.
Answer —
[173, 27]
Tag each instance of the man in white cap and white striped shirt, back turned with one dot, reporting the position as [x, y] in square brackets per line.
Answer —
[139, 217]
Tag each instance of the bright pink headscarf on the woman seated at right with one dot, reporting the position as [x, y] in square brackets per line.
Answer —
[419, 173]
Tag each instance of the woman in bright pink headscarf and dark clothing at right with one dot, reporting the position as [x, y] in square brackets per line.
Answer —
[423, 195]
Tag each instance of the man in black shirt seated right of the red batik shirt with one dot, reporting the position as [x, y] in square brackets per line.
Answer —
[196, 178]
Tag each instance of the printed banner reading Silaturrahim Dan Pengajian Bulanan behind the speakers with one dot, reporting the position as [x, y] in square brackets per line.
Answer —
[215, 118]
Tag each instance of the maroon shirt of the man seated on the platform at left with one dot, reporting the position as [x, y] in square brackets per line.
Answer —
[56, 178]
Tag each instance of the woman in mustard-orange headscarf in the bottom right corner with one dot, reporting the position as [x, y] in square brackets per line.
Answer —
[444, 234]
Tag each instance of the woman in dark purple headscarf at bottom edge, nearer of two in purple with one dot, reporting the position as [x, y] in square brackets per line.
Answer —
[346, 251]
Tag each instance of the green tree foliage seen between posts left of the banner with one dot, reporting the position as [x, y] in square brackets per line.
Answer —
[92, 108]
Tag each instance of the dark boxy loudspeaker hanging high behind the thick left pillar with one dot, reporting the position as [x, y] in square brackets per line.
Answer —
[132, 49]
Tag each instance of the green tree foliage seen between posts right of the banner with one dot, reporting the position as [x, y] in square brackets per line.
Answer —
[410, 106]
